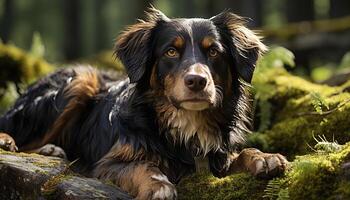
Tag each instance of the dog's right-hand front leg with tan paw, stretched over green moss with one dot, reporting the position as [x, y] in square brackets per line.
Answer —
[262, 165]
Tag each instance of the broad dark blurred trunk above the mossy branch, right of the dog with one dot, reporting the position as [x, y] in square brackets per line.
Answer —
[300, 10]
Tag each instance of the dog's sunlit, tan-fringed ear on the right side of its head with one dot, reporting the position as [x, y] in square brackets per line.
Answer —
[244, 45]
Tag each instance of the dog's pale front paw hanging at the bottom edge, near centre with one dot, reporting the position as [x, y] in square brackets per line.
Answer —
[160, 189]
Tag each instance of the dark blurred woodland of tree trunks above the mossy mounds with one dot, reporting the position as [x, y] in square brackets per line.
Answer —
[316, 31]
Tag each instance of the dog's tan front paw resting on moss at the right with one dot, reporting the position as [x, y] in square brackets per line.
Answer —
[263, 165]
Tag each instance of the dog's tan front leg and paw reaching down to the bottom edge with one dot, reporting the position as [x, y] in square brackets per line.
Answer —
[140, 178]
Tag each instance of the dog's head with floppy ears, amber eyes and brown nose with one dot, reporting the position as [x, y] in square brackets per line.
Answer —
[192, 62]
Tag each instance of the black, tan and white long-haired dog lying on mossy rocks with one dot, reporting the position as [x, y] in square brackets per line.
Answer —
[183, 107]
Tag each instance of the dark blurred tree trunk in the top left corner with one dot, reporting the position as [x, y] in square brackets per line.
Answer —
[7, 20]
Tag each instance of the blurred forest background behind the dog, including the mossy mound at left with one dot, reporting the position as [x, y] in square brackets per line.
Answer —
[60, 32]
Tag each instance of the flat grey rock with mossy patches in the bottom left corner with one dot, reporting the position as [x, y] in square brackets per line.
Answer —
[33, 176]
